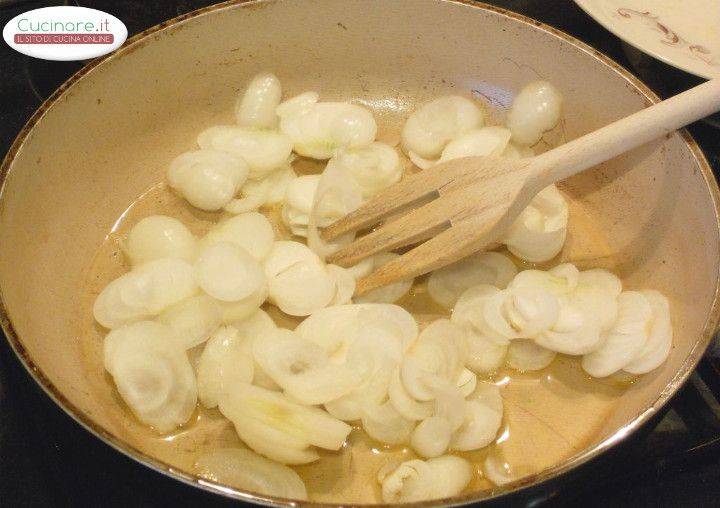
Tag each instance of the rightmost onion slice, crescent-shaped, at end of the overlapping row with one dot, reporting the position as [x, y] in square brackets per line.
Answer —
[659, 342]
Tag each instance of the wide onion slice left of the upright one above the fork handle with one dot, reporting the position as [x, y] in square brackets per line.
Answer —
[429, 129]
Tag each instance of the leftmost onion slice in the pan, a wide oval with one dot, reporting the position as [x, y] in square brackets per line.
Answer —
[144, 292]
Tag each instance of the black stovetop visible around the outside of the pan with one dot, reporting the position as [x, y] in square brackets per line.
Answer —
[46, 459]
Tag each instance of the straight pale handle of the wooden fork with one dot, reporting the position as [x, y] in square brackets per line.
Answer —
[628, 133]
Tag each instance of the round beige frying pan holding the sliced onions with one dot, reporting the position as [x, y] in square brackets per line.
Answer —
[92, 160]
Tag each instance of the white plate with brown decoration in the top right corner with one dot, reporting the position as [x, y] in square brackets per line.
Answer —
[681, 33]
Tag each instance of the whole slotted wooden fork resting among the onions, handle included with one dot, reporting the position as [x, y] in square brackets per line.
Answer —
[463, 205]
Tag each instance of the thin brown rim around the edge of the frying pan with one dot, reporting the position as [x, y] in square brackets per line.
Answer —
[137, 41]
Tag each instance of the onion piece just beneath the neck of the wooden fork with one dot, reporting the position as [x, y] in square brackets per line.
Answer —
[539, 232]
